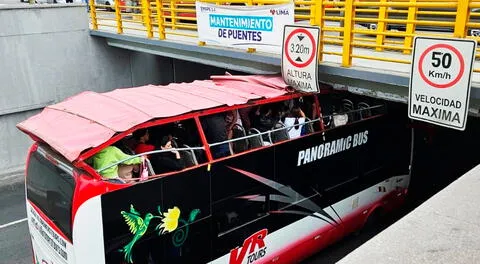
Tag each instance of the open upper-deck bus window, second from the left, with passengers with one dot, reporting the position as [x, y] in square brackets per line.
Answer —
[236, 131]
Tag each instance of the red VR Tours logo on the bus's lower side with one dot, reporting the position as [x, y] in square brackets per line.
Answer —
[250, 244]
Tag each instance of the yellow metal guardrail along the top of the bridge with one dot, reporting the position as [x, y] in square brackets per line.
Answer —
[381, 25]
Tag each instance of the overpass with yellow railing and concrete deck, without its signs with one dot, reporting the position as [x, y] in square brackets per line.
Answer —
[373, 61]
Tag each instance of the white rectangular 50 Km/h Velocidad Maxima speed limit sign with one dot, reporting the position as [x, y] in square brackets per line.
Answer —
[440, 81]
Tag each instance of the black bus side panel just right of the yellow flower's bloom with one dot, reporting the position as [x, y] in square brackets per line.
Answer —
[190, 193]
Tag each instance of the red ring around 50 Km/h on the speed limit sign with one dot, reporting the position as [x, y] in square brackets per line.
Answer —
[438, 85]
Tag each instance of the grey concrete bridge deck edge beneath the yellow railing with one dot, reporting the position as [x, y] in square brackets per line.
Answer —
[381, 79]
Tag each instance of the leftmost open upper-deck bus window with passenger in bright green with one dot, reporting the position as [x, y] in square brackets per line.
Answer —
[158, 149]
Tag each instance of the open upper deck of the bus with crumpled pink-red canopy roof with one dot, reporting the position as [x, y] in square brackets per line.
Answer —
[113, 118]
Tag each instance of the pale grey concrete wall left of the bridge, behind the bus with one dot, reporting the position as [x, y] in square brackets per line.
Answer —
[46, 55]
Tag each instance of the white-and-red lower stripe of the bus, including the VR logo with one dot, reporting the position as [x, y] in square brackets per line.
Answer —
[295, 241]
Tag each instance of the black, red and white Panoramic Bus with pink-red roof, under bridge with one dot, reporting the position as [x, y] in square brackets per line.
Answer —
[235, 169]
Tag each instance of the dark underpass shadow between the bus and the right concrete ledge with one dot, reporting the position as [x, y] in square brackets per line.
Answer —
[441, 155]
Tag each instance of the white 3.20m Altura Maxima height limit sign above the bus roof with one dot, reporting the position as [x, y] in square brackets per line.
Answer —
[299, 57]
